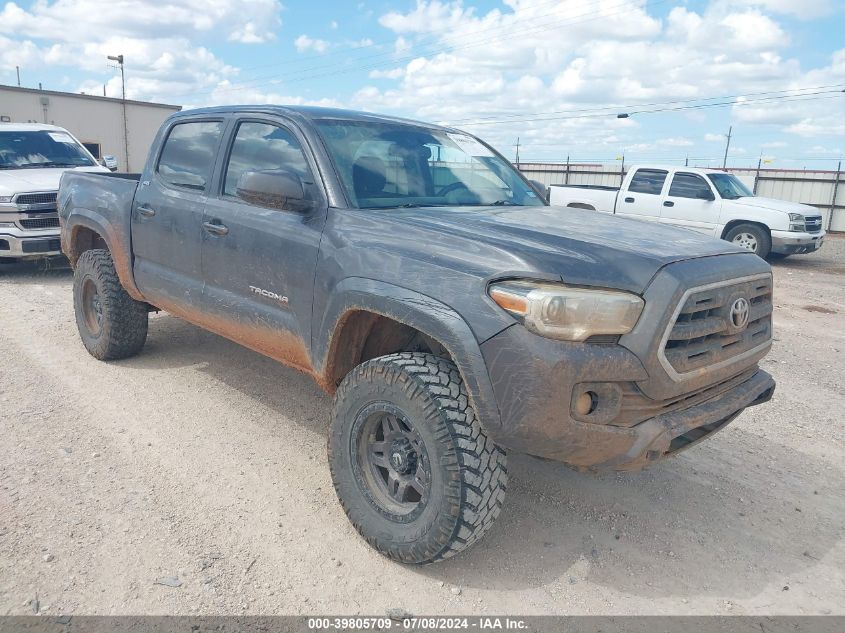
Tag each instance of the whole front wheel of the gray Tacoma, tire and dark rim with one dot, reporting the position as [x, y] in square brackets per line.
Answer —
[412, 467]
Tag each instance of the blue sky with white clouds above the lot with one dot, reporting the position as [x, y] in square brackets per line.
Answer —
[553, 73]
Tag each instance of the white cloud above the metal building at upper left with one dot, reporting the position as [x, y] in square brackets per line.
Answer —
[163, 62]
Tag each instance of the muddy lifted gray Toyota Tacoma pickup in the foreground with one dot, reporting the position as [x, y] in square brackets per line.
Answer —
[421, 280]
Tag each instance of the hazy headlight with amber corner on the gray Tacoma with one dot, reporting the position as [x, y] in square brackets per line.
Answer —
[568, 314]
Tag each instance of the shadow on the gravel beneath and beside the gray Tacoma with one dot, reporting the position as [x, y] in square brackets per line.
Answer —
[729, 517]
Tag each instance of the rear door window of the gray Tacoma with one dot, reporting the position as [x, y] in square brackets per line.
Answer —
[187, 157]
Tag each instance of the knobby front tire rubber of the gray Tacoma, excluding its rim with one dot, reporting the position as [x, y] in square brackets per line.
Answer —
[468, 471]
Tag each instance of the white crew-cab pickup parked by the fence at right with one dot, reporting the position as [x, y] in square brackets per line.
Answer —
[705, 200]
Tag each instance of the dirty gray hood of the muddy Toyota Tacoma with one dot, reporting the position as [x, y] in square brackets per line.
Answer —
[583, 247]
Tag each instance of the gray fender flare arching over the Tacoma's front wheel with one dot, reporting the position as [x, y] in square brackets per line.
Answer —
[428, 315]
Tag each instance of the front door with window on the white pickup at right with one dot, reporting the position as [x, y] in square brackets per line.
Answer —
[691, 203]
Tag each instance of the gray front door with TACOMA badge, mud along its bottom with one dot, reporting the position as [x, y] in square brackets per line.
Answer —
[259, 261]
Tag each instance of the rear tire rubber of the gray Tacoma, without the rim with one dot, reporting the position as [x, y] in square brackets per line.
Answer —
[123, 328]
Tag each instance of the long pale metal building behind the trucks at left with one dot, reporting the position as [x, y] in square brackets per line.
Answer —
[96, 121]
